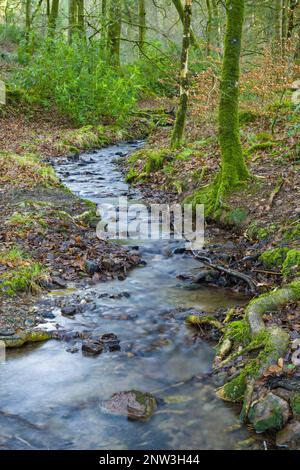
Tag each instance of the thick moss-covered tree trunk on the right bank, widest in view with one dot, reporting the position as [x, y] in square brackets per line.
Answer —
[233, 167]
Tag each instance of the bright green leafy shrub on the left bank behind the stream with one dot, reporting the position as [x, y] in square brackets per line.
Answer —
[77, 80]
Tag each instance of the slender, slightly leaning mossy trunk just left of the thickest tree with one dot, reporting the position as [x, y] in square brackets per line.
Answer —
[179, 126]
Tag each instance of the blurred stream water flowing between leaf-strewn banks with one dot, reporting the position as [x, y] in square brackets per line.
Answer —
[51, 399]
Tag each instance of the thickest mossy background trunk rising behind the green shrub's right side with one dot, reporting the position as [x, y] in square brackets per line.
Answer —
[114, 32]
